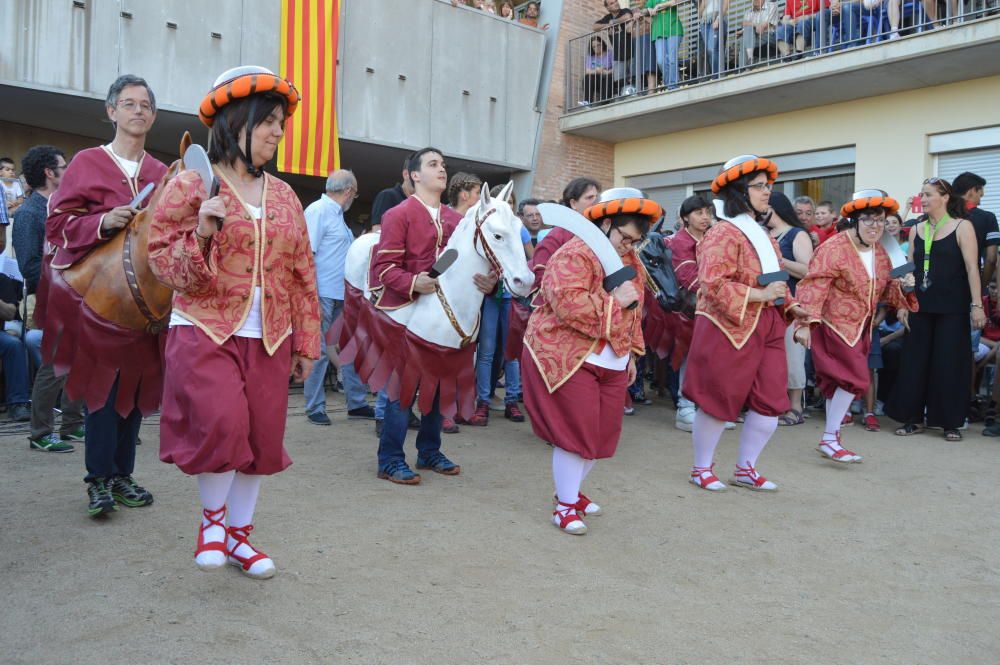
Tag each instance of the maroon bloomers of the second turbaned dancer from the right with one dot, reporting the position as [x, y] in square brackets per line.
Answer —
[722, 379]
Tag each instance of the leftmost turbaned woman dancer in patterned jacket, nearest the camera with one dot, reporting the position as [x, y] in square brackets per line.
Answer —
[245, 313]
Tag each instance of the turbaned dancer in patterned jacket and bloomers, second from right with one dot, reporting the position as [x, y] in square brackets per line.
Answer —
[737, 356]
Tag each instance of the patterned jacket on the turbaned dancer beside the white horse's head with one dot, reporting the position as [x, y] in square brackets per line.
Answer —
[577, 314]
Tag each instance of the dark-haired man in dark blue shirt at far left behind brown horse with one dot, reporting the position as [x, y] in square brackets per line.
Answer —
[43, 167]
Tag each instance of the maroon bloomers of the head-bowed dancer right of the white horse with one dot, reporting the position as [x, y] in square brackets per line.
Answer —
[584, 415]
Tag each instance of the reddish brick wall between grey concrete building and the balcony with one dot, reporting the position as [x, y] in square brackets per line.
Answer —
[563, 157]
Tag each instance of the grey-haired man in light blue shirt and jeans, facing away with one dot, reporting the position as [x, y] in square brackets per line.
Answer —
[330, 238]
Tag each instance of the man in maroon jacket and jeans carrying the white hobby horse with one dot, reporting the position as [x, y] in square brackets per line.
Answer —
[413, 234]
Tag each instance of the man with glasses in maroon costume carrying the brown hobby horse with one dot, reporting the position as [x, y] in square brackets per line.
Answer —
[115, 370]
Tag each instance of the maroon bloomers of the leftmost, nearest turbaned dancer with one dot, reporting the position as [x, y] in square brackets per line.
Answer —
[224, 406]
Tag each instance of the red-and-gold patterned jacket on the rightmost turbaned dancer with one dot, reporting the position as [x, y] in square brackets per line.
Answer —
[838, 292]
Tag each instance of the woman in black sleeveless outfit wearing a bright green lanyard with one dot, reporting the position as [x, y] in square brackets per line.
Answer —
[933, 385]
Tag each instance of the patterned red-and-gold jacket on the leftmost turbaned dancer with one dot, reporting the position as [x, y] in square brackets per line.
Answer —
[215, 286]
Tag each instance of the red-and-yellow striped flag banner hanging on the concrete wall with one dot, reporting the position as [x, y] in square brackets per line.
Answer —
[309, 30]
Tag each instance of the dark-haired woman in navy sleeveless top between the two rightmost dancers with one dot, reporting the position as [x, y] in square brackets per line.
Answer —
[796, 250]
